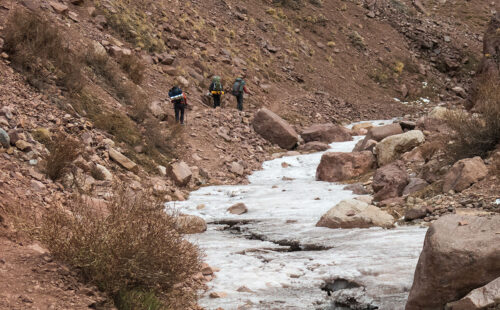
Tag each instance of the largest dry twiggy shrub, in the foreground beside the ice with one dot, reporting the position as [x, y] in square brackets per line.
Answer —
[129, 249]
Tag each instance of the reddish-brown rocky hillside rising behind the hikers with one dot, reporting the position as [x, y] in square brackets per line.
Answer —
[84, 85]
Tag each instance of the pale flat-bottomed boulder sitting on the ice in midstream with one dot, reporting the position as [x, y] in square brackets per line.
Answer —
[355, 214]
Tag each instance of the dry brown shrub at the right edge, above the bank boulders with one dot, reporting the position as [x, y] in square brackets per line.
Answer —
[477, 134]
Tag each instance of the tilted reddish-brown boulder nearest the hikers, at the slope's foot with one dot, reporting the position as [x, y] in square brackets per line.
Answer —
[275, 129]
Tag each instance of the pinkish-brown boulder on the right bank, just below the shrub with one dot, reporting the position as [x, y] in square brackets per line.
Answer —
[464, 173]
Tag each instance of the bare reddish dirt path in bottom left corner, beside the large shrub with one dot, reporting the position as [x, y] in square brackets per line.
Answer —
[30, 279]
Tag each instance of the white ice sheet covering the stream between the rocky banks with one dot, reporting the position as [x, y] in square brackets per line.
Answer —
[278, 253]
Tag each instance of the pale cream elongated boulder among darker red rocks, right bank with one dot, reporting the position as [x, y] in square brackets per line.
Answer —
[391, 148]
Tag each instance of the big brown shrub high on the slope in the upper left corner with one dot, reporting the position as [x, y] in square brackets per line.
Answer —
[36, 48]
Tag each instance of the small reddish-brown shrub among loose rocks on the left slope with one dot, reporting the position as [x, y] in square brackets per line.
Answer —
[63, 150]
